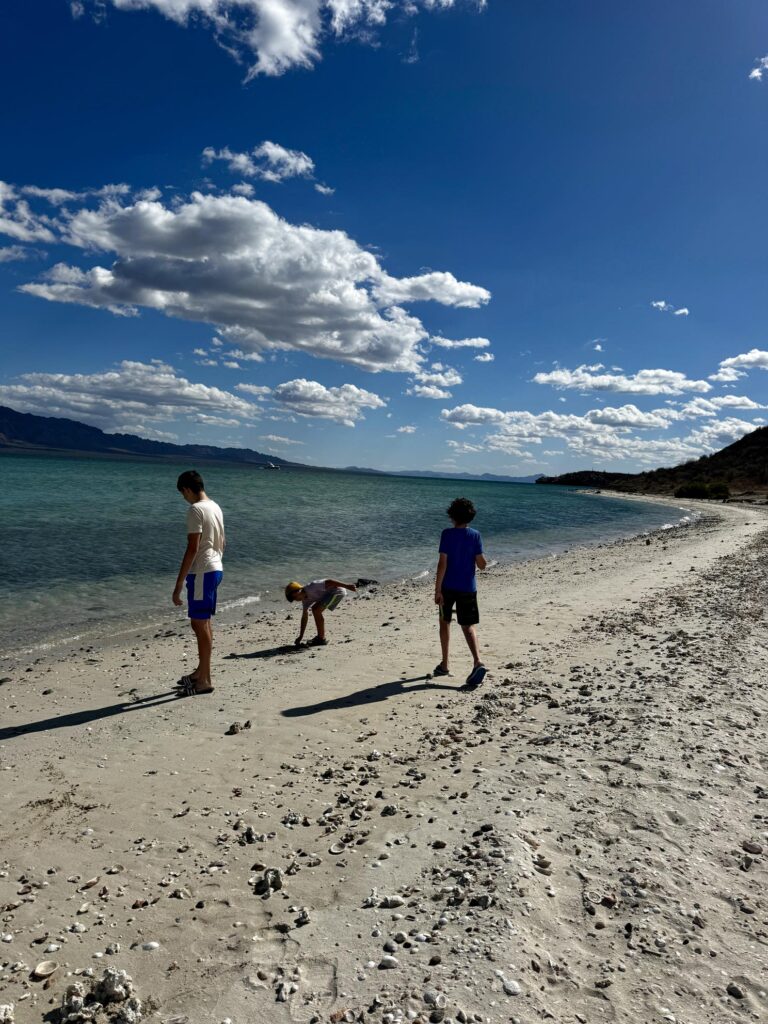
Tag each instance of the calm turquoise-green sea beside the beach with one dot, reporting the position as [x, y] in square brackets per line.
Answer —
[93, 546]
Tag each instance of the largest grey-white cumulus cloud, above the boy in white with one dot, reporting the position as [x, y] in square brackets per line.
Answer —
[233, 263]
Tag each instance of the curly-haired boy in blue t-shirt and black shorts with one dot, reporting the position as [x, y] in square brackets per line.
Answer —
[461, 554]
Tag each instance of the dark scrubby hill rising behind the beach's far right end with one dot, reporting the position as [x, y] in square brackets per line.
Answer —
[742, 466]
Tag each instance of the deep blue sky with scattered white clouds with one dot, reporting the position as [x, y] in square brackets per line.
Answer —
[273, 225]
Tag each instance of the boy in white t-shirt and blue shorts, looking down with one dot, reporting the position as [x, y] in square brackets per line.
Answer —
[202, 571]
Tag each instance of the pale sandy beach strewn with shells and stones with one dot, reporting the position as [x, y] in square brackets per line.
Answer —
[582, 839]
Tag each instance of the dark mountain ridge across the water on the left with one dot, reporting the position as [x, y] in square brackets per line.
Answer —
[24, 432]
